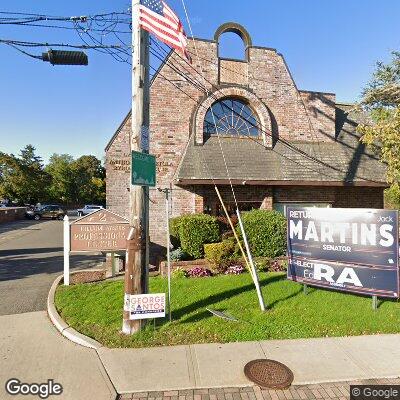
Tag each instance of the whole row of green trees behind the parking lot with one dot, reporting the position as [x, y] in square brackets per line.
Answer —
[24, 179]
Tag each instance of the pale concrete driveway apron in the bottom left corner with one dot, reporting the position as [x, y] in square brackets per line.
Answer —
[32, 350]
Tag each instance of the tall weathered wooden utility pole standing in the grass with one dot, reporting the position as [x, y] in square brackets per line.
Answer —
[136, 268]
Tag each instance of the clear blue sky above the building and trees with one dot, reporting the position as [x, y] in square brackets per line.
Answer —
[329, 45]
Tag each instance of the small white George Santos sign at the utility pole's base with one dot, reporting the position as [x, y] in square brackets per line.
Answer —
[145, 306]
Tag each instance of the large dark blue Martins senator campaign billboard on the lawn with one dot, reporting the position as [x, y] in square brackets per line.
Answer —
[353, 250]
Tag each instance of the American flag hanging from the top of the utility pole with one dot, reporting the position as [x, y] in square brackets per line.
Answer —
[156, 17]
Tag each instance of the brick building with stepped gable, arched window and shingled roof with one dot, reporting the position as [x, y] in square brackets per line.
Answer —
[270, 134]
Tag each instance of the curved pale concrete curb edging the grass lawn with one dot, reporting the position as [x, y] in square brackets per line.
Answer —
[62, 326]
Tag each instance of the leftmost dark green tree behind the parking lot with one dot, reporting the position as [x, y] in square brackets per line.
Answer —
[23, 179]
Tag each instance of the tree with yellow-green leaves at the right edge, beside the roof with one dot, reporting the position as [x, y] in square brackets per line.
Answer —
[381, 99]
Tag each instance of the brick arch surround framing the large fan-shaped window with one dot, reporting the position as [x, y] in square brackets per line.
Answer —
[254, 102]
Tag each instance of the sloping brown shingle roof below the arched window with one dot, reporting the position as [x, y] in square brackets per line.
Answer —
[346, 160]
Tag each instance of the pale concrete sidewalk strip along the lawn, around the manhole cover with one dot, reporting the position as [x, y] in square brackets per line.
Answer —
[214, 365]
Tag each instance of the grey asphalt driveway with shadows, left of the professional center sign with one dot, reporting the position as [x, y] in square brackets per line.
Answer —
[31, 257]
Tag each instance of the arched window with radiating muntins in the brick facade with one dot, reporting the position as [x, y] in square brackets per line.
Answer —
[231, 116]
